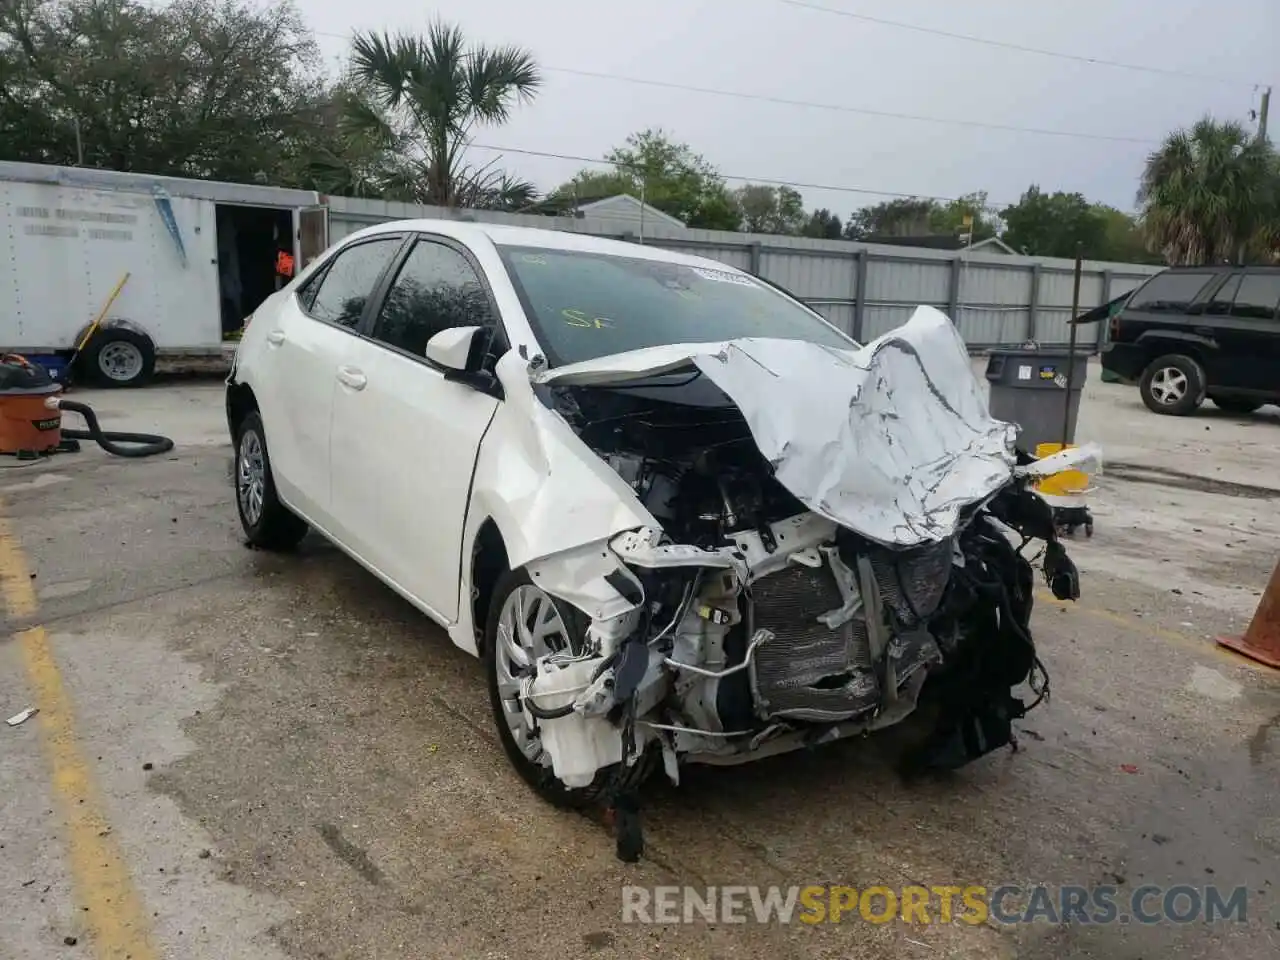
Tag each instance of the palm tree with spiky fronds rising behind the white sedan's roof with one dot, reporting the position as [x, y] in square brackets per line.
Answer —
[424, 98]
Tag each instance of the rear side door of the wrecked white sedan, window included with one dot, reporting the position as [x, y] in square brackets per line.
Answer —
[296, 376]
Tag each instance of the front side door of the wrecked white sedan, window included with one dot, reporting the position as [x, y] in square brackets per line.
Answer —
[405, 440]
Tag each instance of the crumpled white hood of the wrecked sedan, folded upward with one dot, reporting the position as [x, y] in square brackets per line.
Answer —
[892, 440]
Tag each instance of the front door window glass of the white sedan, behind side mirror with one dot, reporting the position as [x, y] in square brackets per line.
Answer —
[437, 289]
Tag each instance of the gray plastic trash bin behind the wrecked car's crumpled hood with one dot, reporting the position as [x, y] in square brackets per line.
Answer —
[1028, 387]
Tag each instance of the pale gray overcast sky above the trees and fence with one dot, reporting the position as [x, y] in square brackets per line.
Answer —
[775, 49]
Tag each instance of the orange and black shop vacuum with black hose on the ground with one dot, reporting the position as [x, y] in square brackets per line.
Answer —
[31, 418]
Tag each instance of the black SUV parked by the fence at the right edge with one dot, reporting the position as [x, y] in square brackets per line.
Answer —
[1196, 332]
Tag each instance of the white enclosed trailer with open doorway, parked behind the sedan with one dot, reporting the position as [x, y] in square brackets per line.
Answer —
[195, 258]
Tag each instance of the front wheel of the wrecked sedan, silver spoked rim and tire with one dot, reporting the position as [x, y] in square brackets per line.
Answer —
[524, 624]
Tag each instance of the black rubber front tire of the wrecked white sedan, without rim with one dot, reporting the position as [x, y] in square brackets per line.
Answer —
[499, 673]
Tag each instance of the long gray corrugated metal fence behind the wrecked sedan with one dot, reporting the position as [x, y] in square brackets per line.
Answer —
[867, 290]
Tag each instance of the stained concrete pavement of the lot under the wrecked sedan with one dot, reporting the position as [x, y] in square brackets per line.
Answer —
[286, 761]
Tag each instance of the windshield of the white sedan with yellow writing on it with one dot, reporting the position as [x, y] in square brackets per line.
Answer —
[588, 305]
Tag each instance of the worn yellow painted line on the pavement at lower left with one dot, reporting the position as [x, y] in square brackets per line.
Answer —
[116, 916]
